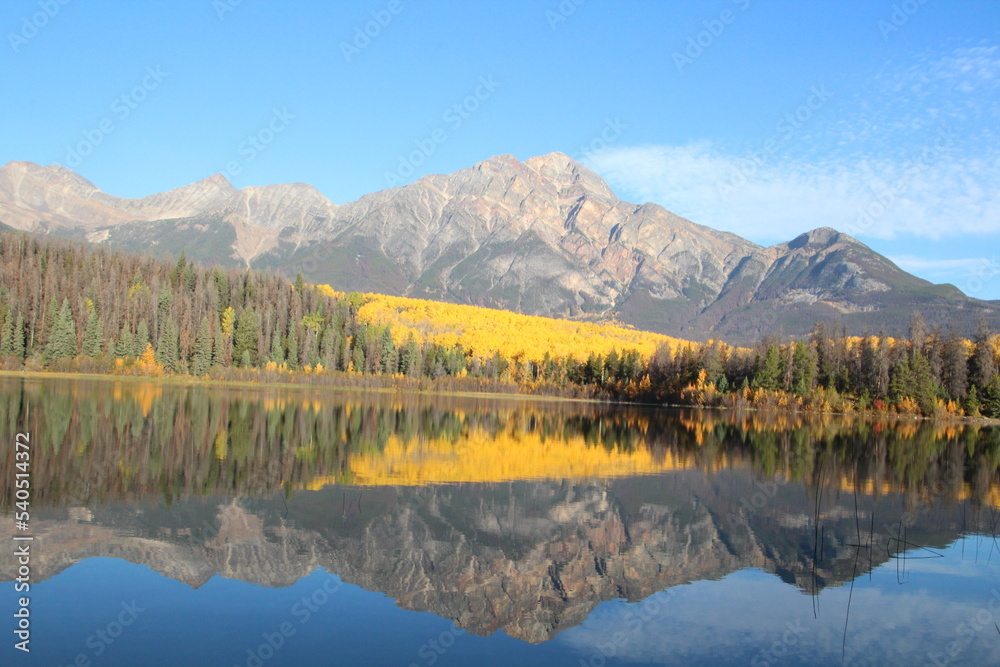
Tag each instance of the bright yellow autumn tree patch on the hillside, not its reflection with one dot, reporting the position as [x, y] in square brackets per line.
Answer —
[485, 331]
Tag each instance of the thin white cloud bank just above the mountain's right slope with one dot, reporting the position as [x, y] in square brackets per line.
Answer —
[934, 196]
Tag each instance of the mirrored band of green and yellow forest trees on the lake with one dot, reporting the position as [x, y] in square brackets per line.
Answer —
[140, 438]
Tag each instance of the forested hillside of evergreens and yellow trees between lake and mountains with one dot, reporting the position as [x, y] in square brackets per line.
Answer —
[79, 308]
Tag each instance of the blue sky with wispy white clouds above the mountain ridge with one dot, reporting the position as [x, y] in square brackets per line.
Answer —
[764, 118]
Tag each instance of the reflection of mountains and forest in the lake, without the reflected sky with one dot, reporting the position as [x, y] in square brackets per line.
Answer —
[517, 515]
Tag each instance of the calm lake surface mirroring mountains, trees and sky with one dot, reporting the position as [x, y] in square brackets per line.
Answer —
[209, 525]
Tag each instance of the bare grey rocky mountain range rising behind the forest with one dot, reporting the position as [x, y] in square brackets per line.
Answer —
[545, 236]
